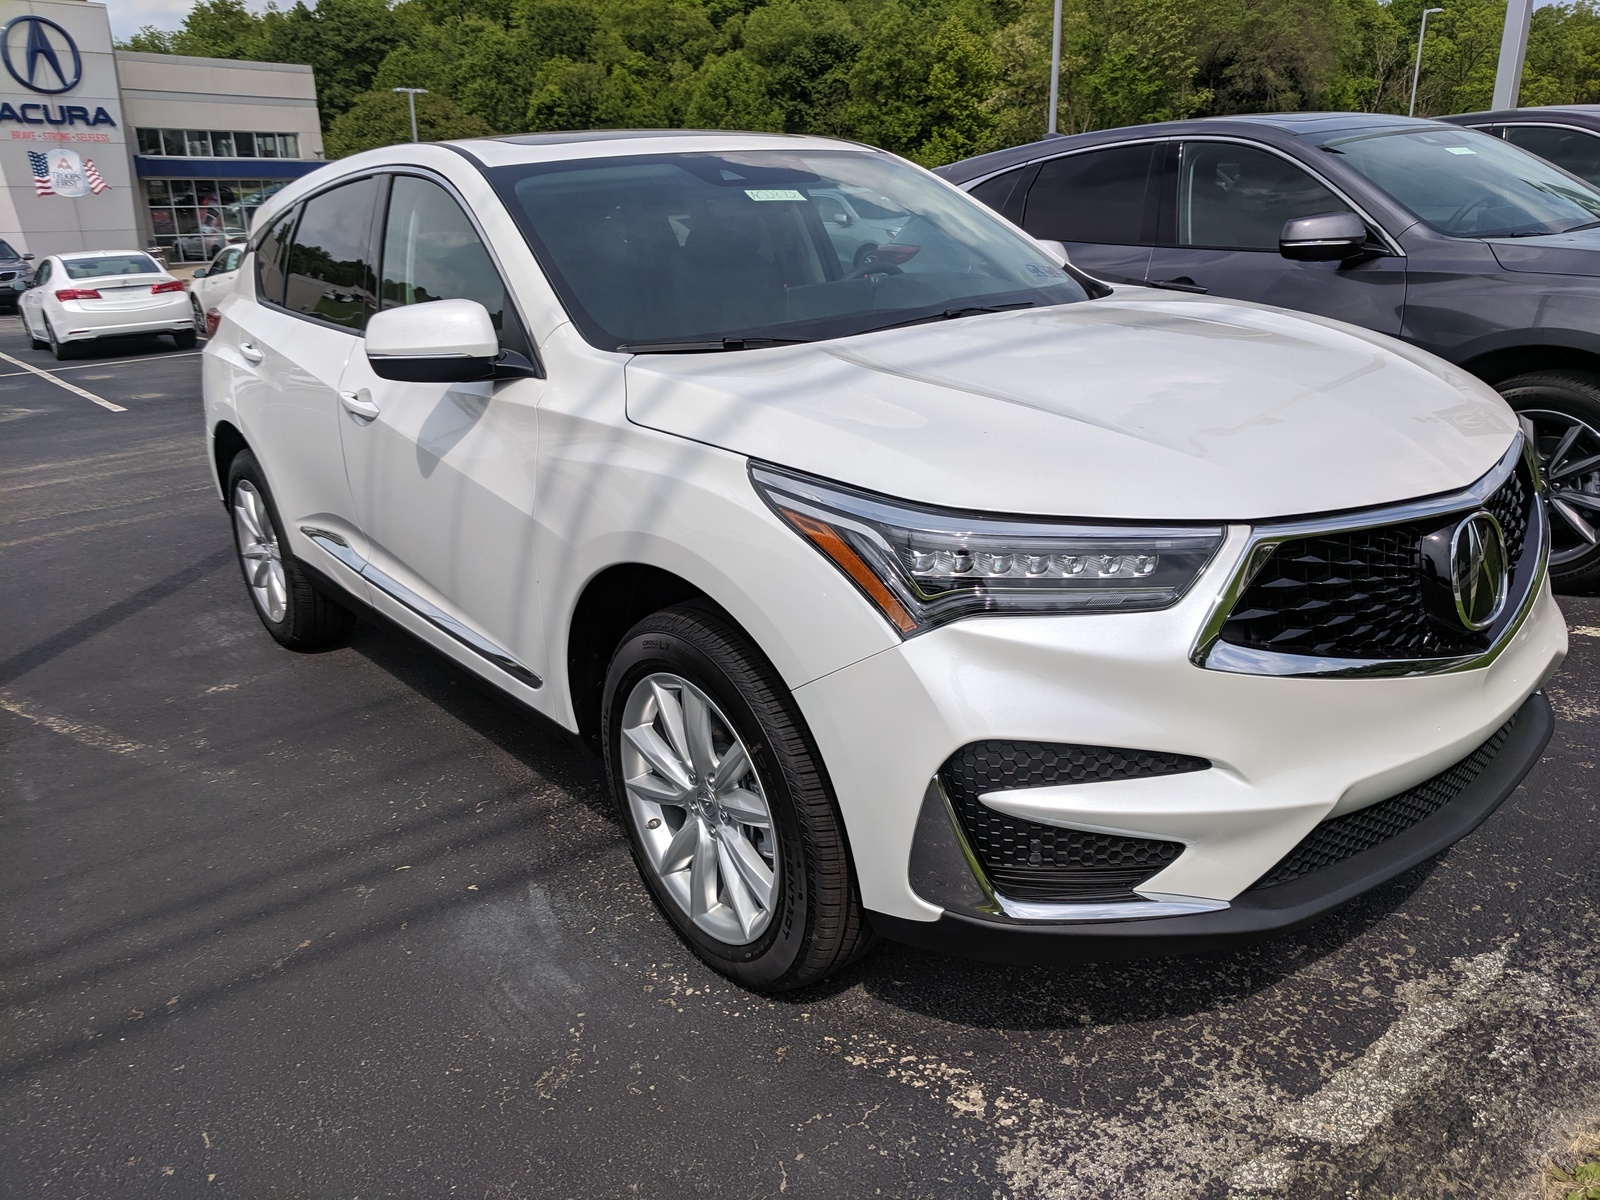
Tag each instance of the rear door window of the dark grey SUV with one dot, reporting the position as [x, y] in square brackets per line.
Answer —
[1094, 198]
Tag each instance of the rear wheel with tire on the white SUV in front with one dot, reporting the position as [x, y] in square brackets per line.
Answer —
[294, 610]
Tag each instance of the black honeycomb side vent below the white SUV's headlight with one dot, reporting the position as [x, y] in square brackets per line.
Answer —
[1026, 860]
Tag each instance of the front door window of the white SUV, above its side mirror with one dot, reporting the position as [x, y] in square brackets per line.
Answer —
[433, 252]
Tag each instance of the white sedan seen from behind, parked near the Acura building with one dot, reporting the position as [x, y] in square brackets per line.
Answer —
[105, 294]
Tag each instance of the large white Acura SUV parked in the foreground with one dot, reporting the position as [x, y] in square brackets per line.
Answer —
[950, 594]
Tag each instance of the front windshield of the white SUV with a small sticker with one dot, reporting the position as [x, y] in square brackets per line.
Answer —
[703, 252]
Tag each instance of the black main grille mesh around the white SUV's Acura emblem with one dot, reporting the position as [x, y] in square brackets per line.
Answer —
[1361, 594]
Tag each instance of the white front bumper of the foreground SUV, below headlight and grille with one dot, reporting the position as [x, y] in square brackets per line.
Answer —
[1286, 753]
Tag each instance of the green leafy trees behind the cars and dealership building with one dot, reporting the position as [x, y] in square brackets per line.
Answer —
[932, 79]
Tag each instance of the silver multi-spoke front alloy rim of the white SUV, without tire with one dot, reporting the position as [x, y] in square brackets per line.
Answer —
[698, 809]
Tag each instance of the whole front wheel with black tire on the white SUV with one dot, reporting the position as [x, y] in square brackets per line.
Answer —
[812, 922]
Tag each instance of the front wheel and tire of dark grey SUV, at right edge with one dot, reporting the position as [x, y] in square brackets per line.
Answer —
[1564, 407]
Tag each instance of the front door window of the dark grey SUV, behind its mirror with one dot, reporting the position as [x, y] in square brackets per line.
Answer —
[1238, 198]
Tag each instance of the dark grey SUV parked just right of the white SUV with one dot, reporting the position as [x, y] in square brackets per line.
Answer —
[1446, 238]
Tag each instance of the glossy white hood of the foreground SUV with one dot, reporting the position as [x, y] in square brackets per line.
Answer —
[1138, 406]
